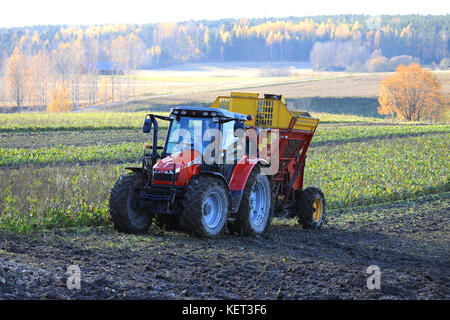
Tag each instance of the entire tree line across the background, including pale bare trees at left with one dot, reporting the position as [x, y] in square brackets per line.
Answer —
[37, 60]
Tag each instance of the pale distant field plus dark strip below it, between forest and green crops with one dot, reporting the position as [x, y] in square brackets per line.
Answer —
[200, 84]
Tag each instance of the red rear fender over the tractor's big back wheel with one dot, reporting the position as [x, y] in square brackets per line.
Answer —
[240, 176]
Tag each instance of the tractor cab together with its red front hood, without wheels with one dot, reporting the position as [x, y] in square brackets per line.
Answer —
[197, 139]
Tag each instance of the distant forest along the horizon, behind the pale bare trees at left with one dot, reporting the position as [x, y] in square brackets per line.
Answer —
[425, 37]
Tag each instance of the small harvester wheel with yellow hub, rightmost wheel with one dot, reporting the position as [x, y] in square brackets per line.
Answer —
[311, 208]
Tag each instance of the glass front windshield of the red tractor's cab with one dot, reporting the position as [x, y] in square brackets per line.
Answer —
[187, 133]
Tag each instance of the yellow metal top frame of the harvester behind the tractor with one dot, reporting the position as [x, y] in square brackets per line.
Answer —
[266, 113]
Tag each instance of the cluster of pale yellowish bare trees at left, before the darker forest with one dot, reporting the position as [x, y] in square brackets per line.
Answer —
[40, 77]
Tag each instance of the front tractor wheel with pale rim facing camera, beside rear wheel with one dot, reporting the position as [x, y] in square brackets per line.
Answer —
[205, 207]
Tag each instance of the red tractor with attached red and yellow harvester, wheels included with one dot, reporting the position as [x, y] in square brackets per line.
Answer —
[219, 169]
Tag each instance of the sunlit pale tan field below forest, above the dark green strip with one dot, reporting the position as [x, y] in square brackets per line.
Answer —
[198, 77]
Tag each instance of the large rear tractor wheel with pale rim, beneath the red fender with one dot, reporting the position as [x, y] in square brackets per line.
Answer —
[253, 216]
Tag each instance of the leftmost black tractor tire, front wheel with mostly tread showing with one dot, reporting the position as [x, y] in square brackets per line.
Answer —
[123, 200]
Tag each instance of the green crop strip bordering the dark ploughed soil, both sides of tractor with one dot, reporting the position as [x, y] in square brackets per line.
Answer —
[353, 174]
